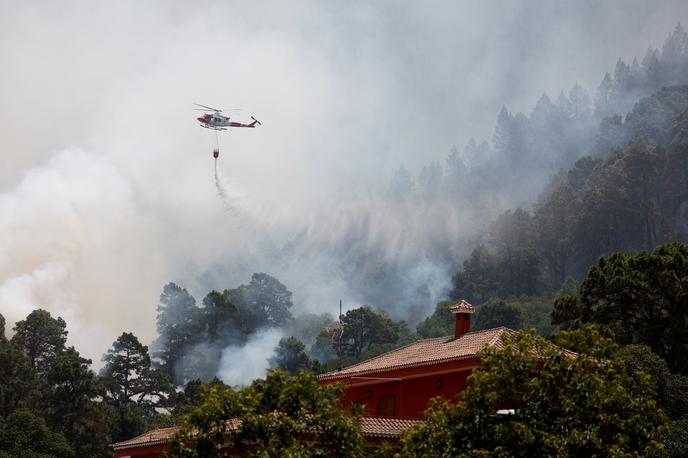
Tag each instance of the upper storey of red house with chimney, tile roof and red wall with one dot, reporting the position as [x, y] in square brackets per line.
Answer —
[401, 382]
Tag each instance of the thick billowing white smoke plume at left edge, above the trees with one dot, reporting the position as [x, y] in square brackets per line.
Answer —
[66, 239]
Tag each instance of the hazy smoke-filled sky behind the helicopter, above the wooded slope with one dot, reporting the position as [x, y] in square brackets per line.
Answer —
[106, 184]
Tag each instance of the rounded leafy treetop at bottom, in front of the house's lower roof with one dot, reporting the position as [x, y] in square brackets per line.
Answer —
[279, 416]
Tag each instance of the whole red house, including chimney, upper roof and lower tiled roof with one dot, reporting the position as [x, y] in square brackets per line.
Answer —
[393, 388]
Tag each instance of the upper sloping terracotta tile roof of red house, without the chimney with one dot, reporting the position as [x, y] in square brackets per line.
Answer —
[423, 352]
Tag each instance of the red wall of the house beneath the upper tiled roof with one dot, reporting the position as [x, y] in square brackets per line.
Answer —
[411, 388]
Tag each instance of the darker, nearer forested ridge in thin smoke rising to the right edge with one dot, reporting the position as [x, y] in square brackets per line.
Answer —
[632, 199]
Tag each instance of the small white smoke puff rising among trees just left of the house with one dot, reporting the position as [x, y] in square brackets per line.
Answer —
[240, 365]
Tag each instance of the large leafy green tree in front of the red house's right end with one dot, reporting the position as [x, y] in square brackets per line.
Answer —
[563, 405]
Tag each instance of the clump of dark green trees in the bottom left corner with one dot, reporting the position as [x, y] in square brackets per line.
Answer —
[58, 398]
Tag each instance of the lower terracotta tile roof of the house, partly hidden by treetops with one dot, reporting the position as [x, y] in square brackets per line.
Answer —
[373, 427]
